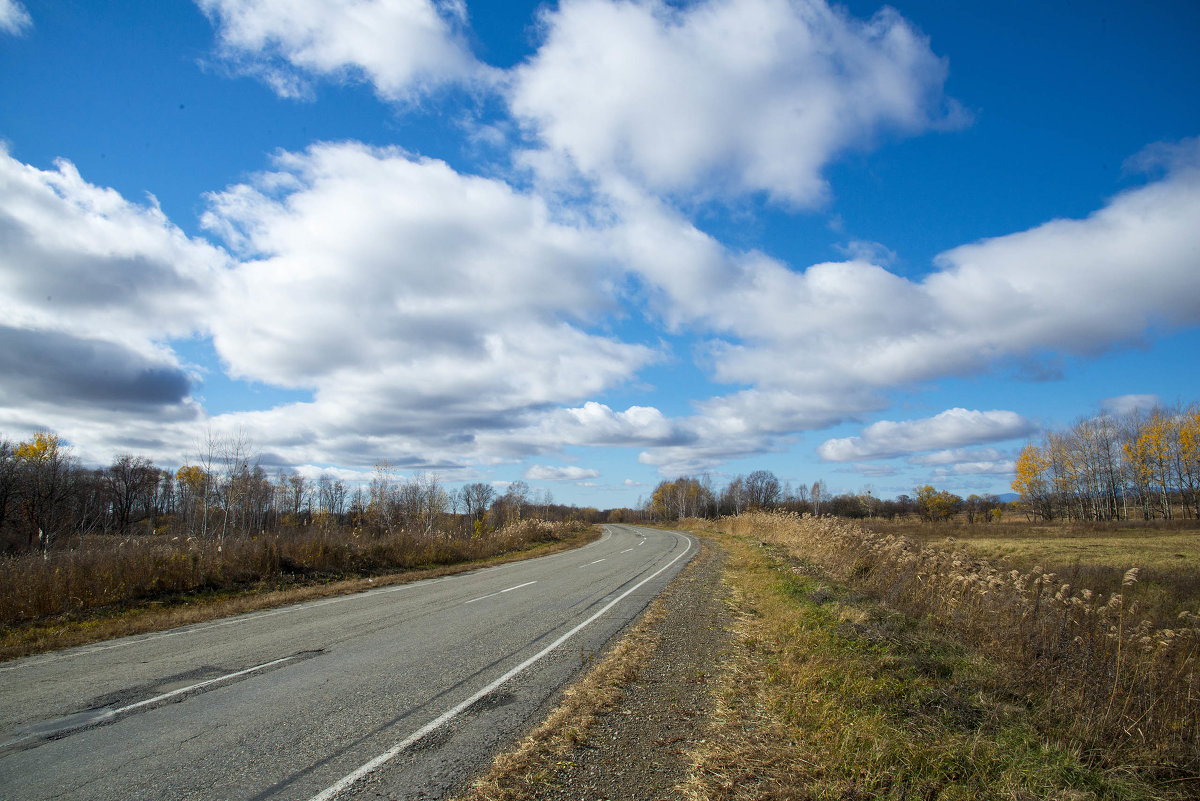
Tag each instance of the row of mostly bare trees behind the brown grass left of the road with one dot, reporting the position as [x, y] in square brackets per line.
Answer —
[47, 498]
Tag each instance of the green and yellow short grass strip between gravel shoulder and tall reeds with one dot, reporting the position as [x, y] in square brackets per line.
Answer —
[830, 695]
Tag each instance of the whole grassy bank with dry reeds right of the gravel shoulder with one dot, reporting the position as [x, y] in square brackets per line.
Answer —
[872, 666]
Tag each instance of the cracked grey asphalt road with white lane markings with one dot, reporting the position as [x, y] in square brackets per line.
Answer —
[399, 694]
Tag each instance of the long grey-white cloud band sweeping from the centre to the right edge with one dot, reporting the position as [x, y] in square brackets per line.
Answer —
[827, 344]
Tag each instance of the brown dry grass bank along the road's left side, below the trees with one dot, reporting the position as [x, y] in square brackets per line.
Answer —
[111, 587]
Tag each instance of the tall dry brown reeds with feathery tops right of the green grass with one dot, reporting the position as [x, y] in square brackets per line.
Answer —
[1119, 686]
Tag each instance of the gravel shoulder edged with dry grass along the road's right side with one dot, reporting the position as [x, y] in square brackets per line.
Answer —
[627, 728]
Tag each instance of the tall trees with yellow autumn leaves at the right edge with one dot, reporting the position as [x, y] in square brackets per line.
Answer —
[1142, 465]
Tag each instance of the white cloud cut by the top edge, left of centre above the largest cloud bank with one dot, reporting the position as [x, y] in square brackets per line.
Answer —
[403, 47]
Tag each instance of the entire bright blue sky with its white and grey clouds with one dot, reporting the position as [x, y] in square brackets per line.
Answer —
[592, 244]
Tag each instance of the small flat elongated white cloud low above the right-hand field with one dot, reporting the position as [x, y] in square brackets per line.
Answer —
[951, 429]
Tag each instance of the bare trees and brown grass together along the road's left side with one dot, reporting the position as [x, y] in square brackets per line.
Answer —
[91, 555]
